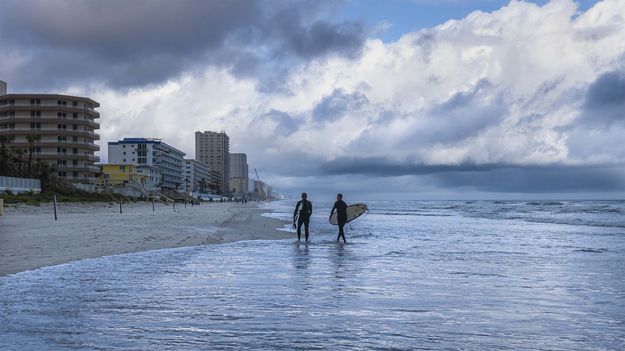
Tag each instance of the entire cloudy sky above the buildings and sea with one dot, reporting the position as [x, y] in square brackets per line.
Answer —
[402, 99]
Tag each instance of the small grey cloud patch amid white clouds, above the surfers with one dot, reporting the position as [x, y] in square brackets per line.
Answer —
[337, 104]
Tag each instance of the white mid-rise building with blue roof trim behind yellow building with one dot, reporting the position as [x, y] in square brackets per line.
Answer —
[149, 152]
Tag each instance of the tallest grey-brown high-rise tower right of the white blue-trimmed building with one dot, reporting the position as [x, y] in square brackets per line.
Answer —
[213, 148]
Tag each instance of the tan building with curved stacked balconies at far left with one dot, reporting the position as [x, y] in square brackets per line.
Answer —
[58, 129]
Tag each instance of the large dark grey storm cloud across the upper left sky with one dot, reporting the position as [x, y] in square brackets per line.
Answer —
[132, 43]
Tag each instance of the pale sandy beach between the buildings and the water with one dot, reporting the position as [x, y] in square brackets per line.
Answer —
[30, 237]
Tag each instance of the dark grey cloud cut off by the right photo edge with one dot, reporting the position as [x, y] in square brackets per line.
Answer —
[605, 100]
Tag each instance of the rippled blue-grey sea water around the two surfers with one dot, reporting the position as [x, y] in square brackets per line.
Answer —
[414, 275]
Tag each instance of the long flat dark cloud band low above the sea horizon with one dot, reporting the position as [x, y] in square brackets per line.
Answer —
[489, 177]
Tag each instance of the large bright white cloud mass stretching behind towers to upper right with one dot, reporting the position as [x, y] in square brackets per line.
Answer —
[505, 87]
